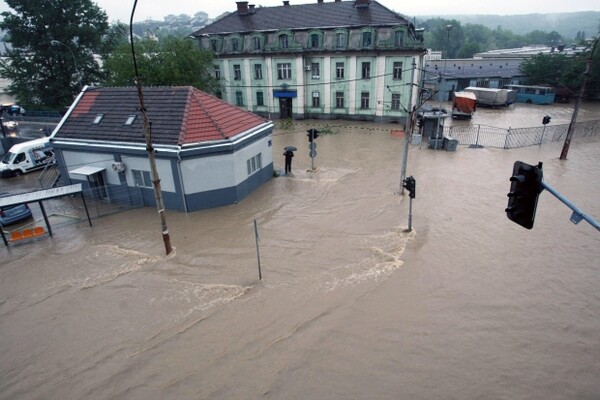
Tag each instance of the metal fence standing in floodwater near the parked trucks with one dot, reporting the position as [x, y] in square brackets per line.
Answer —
[487, 136]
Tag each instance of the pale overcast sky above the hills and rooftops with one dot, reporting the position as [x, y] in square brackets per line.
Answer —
[158, 9]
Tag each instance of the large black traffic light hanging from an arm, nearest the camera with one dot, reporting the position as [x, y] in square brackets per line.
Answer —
[525, 188]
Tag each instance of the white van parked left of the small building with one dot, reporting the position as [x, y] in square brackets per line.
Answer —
[26, 157]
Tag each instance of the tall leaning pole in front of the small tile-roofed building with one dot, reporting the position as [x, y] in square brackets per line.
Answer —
[149, 148]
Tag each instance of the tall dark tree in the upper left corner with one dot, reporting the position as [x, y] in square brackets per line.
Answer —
[53, 45]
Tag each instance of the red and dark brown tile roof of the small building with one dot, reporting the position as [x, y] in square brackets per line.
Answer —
[179, 115]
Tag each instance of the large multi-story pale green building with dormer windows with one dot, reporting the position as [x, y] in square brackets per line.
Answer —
[339, 59]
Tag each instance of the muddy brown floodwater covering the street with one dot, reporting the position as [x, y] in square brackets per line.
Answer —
[351, 306]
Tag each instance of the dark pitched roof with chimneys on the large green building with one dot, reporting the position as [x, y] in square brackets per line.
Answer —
[305, 16]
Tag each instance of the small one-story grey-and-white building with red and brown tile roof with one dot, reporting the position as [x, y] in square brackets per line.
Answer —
[208, 153]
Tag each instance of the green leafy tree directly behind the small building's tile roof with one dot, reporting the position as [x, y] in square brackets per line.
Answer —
[170, 61]
